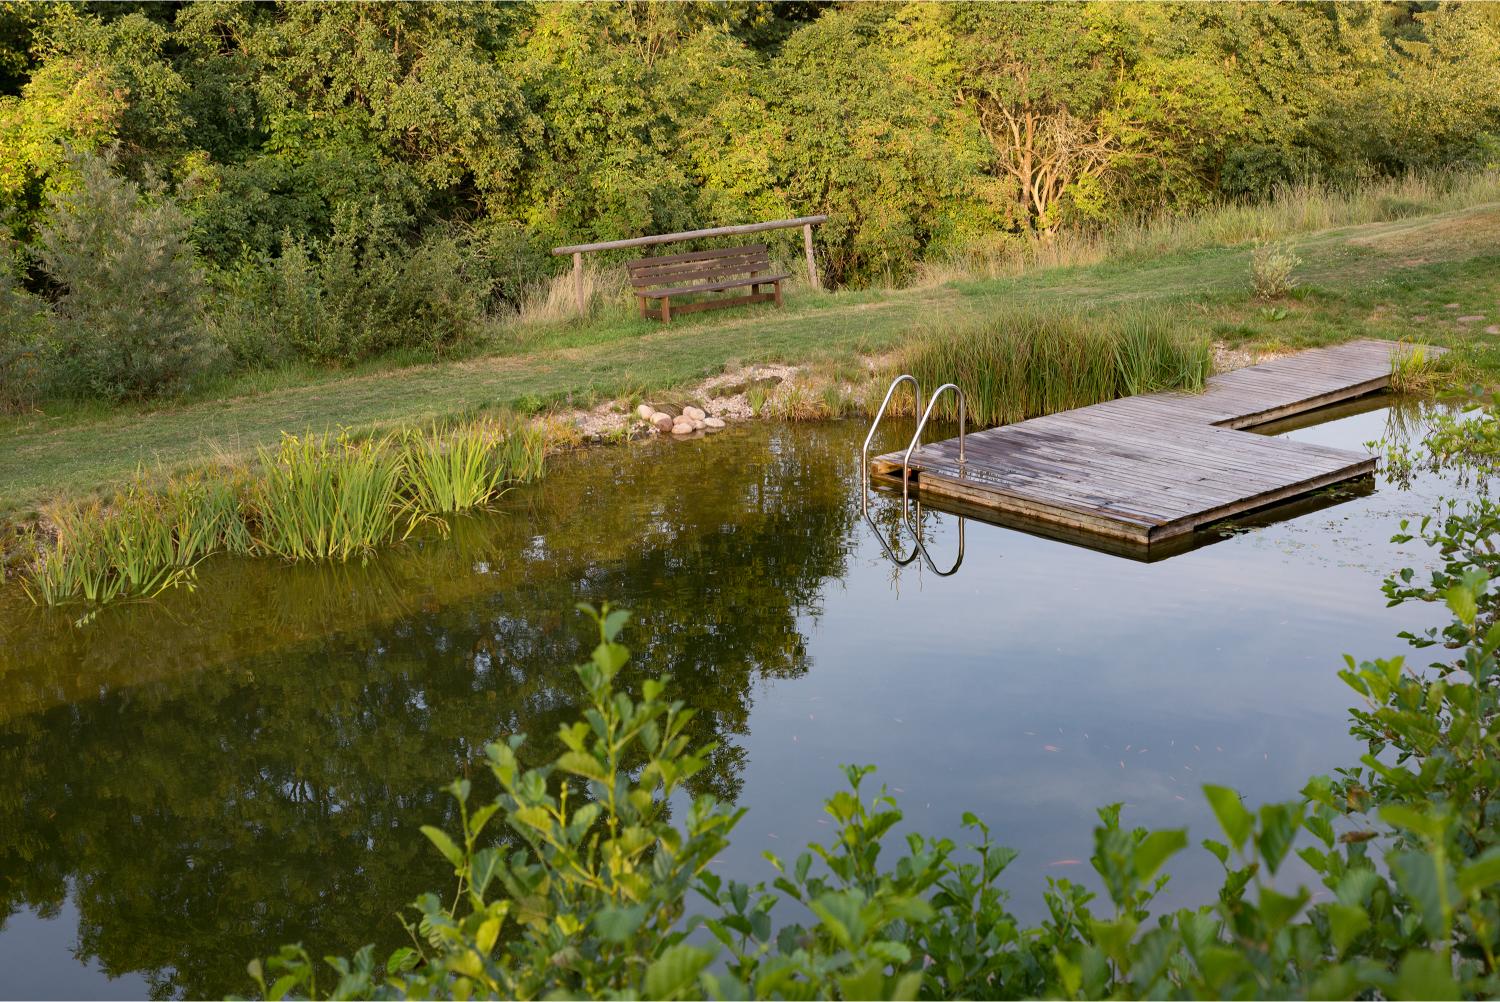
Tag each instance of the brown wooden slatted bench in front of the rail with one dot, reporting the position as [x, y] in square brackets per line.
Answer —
[676, 275]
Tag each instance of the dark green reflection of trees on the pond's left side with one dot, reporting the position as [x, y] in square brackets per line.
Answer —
[248, 764]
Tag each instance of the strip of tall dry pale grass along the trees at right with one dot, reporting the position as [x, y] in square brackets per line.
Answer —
[1292, 209]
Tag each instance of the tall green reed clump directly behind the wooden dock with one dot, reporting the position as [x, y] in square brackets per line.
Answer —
[1043, 361]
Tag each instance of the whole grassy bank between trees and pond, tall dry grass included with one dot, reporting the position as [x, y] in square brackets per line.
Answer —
[1409, 259]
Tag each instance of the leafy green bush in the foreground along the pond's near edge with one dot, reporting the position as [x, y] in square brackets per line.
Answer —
[586, 892]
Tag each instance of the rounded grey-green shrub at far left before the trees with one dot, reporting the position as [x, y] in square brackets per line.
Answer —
[130, 316]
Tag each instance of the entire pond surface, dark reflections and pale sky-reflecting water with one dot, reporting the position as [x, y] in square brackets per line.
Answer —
[191, 782]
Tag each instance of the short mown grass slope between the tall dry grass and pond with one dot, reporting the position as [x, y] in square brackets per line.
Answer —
[1391, 280]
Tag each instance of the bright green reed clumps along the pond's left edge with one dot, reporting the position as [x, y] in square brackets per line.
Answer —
[314, 497]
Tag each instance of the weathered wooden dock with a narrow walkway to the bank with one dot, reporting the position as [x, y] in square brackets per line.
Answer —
[1156, 467]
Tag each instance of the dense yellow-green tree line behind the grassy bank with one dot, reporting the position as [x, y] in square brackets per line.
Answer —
[377, 176]
